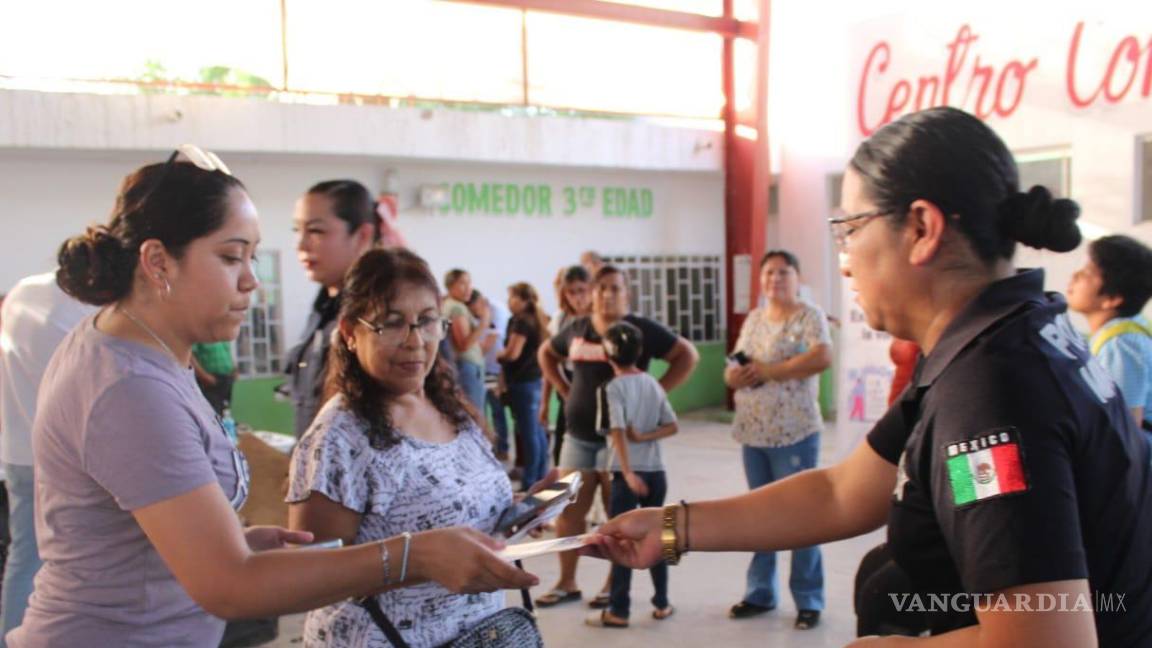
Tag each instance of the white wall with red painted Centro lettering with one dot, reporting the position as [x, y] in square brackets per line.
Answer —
[818, 55]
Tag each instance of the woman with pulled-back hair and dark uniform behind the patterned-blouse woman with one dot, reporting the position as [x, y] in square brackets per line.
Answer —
[336, 222]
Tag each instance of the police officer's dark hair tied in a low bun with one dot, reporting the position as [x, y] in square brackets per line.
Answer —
[957, 162]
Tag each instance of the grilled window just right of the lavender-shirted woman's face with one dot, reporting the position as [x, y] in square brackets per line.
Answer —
[260, 346]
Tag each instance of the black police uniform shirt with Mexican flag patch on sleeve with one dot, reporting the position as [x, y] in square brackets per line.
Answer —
[1019, 463]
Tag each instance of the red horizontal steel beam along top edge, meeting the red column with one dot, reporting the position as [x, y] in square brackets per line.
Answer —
[725, 26]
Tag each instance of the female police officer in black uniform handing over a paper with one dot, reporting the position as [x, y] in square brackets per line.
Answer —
[1010, 466]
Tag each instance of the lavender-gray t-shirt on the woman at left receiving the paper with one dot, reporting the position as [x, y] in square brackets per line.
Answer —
[120, 426]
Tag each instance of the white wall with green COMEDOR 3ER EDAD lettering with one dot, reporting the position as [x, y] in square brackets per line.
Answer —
[64, 156]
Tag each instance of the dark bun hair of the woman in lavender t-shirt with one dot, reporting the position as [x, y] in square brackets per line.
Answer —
[175, 204]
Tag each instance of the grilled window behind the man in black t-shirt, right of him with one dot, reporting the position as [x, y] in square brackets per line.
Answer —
[685, 293]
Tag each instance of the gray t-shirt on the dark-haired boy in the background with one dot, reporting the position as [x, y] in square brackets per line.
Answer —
[639, 401]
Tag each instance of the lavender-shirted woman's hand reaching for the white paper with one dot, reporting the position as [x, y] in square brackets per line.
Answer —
[465, 562]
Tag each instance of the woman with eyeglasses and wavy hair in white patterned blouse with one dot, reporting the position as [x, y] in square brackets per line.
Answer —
[397, 448]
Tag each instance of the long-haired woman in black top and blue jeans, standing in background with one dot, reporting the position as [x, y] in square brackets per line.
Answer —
[520, 374]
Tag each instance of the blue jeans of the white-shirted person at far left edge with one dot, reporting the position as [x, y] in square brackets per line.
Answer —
[24, 560]
